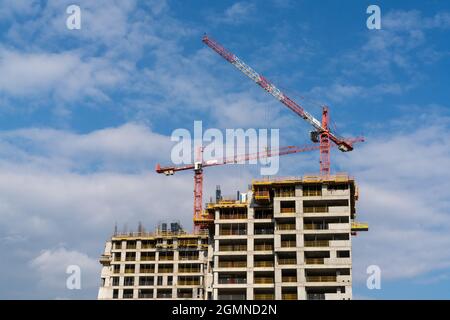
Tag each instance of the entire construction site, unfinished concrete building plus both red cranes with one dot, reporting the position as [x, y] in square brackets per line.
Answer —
[285, 238]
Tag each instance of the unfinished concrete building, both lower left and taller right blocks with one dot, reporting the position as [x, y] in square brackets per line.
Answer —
[290, 239]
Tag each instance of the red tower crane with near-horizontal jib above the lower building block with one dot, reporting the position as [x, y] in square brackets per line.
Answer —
[200, 220]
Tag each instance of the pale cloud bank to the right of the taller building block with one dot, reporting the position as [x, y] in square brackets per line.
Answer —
[404, 192]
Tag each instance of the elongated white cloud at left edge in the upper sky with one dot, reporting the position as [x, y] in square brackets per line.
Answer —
[66, 75]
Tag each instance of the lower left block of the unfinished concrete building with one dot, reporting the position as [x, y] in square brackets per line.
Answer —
[160, 265]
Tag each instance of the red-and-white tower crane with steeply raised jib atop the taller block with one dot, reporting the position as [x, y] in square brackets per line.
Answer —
[321, 131]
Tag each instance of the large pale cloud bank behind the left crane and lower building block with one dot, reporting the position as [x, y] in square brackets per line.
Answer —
[46, 202]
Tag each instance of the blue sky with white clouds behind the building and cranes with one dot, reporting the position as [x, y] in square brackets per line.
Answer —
[86, 114]
